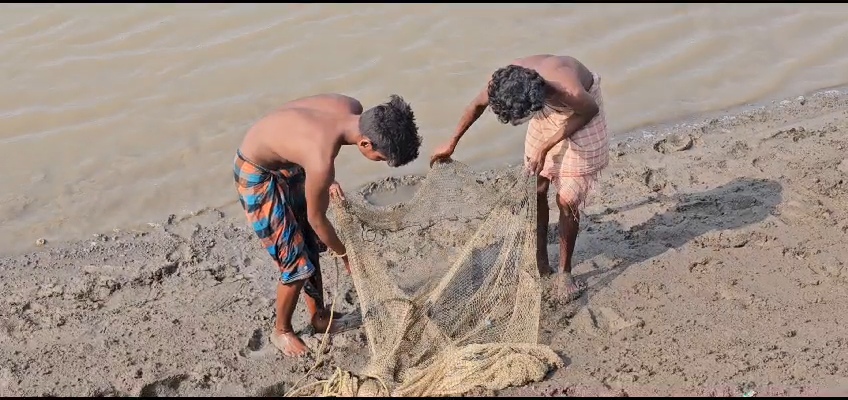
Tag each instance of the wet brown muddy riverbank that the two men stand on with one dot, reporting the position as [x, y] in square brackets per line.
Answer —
[713, 252]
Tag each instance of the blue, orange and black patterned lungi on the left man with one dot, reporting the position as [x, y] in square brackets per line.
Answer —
[275, 205]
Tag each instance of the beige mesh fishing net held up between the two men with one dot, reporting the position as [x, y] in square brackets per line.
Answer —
[457, 305]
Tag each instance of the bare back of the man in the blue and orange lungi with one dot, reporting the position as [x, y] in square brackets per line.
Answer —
[305, 132]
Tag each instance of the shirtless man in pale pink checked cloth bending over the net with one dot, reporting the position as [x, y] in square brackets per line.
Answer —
[566, 142]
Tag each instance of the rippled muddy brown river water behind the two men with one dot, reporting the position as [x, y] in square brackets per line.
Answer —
[113, 115]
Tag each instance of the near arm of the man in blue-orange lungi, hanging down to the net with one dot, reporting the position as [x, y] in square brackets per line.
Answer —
[318, 181]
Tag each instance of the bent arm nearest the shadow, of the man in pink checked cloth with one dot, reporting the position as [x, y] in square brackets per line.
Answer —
[571, 90]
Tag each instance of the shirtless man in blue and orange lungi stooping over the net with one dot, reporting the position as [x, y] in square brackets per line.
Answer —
[285, 173]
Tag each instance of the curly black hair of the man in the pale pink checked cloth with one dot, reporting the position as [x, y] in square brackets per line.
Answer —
[516, 93]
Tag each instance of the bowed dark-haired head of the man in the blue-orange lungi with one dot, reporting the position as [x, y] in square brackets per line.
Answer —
[392, 130]
